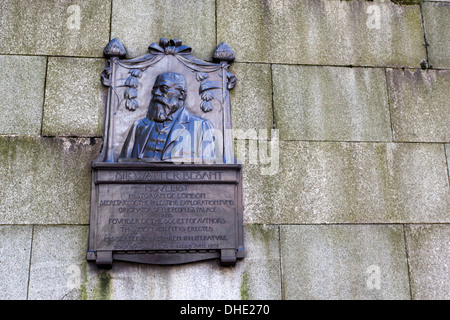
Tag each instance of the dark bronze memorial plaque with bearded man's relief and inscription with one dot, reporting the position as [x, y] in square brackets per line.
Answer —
[166, 188]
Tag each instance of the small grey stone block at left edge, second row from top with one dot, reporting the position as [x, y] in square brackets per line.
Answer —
[22, 90]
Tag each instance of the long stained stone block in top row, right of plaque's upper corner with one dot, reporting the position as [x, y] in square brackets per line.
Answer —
[322, 32]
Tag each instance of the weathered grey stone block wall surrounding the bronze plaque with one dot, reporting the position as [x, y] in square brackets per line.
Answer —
[354, 202]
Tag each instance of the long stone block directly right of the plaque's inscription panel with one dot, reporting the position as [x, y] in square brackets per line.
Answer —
[330, 182]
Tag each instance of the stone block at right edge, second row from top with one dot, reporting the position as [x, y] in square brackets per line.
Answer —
[419, 104]
